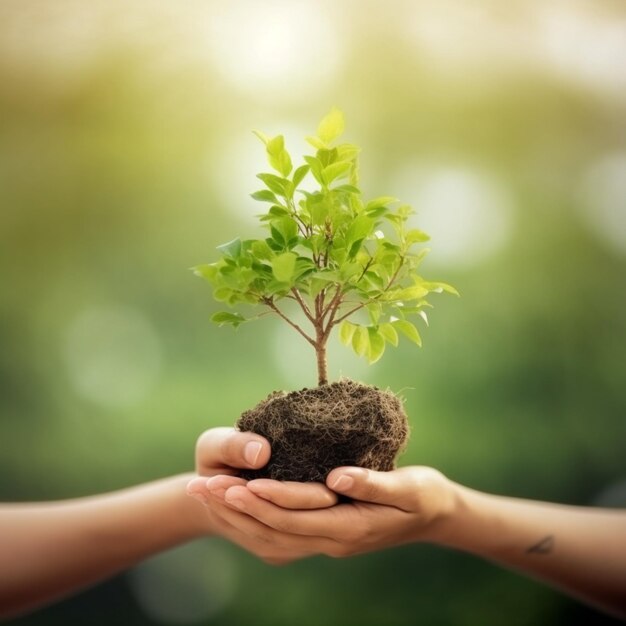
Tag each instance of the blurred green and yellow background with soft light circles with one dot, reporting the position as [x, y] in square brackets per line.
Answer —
[126, 156]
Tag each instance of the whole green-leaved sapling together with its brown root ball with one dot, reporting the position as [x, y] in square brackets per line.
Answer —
[344, 262]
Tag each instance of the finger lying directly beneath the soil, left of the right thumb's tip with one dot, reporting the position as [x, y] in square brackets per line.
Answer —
[293, 495]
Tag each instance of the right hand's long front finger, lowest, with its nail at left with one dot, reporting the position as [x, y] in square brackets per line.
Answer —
[329, 522]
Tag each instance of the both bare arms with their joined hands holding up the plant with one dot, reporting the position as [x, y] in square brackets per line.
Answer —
[49, 550]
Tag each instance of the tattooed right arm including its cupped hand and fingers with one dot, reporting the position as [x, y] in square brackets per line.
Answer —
[580, 550]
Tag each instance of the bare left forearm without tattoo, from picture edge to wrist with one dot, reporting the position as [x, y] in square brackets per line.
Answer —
[48, 550]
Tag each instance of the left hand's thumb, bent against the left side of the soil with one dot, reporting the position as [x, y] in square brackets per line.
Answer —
[227, 448]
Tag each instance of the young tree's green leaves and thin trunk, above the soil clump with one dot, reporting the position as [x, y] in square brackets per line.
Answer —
[329, 251]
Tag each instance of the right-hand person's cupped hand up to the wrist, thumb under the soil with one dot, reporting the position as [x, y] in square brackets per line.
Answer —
[388, 508]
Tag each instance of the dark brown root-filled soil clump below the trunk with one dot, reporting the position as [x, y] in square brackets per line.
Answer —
[313, 431]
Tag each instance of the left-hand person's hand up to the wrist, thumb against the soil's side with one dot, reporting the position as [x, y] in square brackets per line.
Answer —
[219, 453]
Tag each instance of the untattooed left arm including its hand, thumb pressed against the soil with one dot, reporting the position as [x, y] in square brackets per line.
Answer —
[49, 550]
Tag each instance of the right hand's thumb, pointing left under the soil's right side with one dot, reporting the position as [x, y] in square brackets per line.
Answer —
[388, 488]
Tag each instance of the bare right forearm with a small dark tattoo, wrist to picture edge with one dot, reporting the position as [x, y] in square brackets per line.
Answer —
[581, 550]
